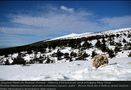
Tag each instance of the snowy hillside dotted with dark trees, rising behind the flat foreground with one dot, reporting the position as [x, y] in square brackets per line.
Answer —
[113, 43]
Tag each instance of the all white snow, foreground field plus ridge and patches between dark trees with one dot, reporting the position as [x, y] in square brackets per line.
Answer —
[119, 68]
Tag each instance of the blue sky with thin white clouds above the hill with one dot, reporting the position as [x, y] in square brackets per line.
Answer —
[24, 22]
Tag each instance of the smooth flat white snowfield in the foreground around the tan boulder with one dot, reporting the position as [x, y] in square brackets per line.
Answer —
[117, 69]
